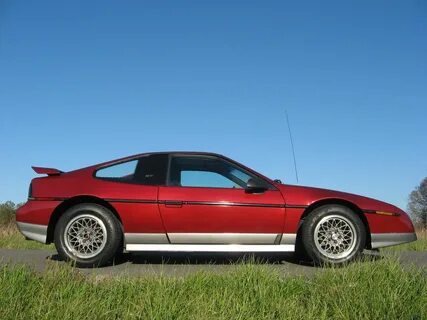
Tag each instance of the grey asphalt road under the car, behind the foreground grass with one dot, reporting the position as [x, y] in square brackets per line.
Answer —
[181, 264]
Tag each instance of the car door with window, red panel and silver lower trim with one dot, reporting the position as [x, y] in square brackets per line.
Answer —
[205, 202]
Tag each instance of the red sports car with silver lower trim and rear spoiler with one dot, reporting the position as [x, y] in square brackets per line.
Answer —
[194, 201]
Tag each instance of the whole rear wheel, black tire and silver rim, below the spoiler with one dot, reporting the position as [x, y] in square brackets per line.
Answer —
[103, 232]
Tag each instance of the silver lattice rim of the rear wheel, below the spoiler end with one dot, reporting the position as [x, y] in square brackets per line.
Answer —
[85, 236]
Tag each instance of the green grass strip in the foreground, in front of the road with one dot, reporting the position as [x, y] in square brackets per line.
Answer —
[364, 290]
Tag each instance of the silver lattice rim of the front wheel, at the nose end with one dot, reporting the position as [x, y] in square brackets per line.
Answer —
[335, 237]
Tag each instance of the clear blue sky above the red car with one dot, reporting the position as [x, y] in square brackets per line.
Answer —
[87, 81]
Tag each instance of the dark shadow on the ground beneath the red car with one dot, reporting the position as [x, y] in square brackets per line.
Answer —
[217, 258]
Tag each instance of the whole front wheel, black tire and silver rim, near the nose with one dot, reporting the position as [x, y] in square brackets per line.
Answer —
[319, 225]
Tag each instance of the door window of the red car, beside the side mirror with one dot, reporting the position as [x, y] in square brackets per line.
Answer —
[207, 171]
